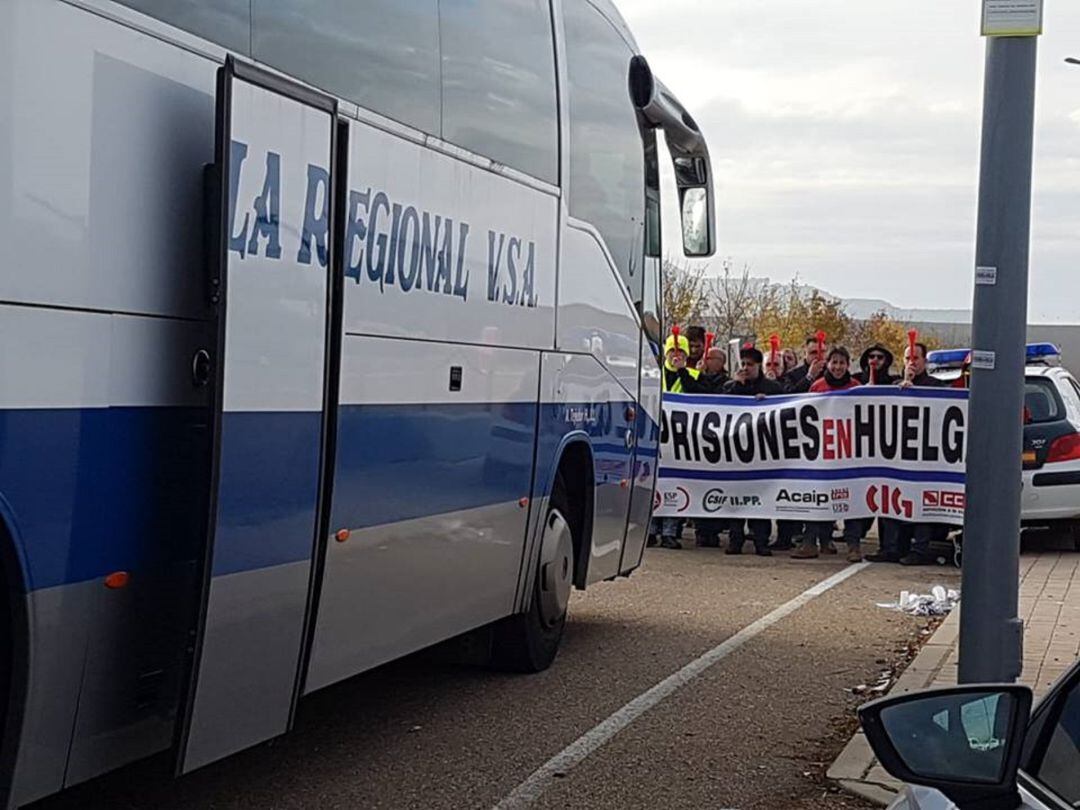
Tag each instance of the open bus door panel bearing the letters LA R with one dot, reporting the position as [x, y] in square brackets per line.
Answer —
[272, 287]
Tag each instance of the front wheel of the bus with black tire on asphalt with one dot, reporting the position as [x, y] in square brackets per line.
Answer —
[530, 642]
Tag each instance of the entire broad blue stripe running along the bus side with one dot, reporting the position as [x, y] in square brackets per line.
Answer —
[102, 490]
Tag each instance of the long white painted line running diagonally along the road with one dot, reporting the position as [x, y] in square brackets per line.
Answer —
[573, 755]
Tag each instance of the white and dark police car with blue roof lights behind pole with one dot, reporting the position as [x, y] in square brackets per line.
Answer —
[1051, 461]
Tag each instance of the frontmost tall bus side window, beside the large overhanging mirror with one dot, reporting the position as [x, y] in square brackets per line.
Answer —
[607, 166]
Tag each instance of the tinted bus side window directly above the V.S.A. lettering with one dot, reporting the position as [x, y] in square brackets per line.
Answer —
[499, 83]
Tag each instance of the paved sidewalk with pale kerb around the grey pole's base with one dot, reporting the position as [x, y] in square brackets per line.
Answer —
[1050, 607]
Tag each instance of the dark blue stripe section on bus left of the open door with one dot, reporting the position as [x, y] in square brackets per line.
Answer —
[97, 491]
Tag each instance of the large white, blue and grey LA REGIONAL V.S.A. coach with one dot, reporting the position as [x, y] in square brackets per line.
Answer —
[330, 332]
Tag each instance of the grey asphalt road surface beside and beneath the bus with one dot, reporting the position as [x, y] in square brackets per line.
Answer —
[754, 731]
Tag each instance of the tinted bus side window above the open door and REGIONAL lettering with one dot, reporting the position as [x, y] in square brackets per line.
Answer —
[382, 55]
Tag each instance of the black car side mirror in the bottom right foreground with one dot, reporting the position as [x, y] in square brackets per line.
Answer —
[964, 741]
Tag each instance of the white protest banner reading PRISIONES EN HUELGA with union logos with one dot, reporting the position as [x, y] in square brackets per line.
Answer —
[871, 452]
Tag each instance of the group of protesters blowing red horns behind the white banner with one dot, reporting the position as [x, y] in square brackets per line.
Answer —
[695, 368]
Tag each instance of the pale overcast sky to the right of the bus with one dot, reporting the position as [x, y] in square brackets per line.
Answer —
[845, 138]
